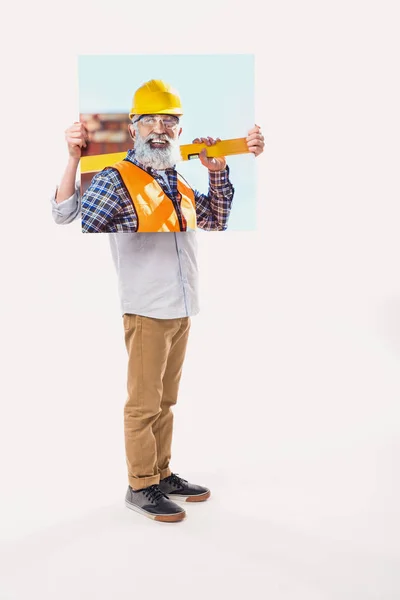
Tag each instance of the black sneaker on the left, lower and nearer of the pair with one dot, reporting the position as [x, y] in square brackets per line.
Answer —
[154, 504]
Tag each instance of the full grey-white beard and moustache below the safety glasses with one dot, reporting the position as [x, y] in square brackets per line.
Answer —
[157, 158]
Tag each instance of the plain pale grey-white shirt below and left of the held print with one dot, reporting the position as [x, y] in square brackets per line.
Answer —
[157, 272]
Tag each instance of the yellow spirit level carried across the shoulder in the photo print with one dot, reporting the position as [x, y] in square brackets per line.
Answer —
[93, 164]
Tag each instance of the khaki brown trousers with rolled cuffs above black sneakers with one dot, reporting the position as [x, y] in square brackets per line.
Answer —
[156, 351]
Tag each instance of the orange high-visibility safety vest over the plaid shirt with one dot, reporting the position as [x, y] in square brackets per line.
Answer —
[154, 209]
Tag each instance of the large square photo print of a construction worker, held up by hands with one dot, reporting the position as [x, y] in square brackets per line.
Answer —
[170, 143]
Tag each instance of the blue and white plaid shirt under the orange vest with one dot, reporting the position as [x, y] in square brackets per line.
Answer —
[106, 206]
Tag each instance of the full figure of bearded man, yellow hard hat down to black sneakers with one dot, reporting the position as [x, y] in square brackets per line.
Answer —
[157, 275]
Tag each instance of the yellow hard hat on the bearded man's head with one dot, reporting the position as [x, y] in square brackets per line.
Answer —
[156, 97]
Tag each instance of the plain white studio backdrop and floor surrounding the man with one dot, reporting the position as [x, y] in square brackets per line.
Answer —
[289, 404]
